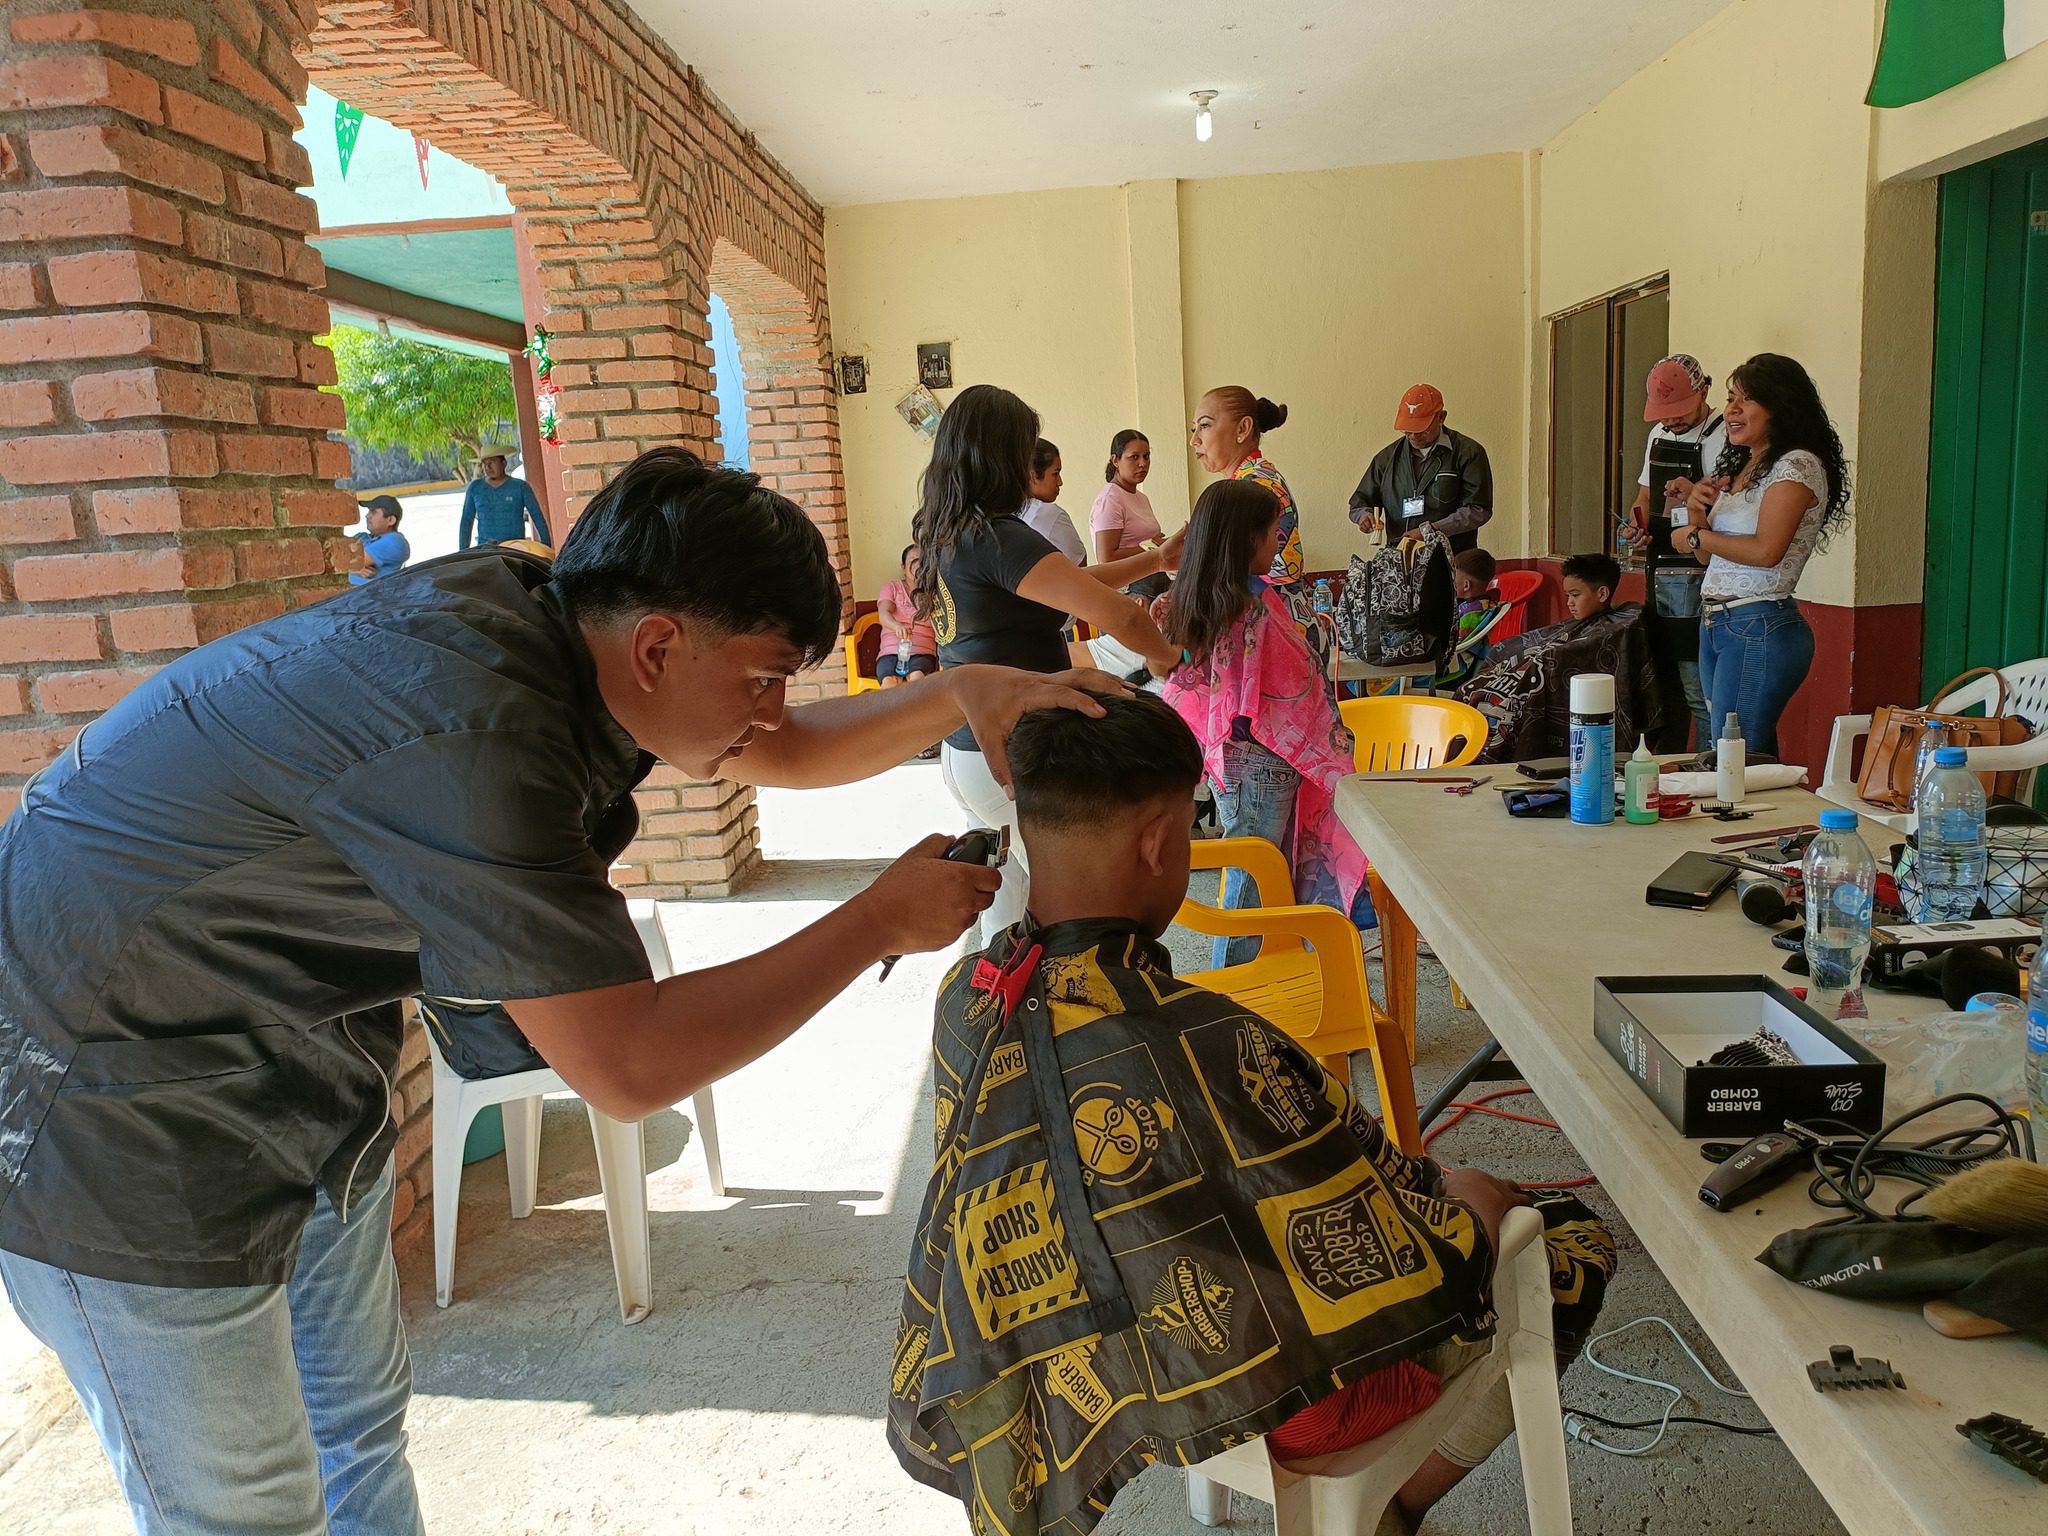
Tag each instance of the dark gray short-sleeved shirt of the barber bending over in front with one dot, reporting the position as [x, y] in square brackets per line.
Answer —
[214, 900]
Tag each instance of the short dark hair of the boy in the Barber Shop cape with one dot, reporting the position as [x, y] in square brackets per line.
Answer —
[1074, 771]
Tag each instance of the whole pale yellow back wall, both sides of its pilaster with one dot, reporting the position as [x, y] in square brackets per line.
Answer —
[1111, 308]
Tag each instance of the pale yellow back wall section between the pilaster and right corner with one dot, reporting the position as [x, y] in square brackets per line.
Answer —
[1334, 292]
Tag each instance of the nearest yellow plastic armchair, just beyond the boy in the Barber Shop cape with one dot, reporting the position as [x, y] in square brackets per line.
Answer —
[1308, 980]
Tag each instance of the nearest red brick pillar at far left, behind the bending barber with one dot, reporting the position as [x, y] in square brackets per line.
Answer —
[165, 445]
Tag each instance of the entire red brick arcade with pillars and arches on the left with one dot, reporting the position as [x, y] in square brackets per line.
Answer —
[165, 462]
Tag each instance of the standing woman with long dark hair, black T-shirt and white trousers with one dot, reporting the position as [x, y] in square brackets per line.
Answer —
[998, 591]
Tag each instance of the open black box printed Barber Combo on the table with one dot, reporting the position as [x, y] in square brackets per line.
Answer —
[1662, 1031]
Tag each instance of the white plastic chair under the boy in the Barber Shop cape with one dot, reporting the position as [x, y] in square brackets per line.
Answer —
[1353, 1496]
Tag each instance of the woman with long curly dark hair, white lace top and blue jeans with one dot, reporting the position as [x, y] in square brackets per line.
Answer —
[1777, 495]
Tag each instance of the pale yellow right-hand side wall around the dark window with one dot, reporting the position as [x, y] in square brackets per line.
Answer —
[1738, 163]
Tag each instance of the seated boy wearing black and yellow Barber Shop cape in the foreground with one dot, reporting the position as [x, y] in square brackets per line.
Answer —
[1156, 1228]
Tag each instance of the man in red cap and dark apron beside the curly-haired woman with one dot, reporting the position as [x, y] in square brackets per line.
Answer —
[1687, 439]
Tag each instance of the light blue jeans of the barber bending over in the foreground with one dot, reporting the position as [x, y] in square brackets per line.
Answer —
[249, 1410]
